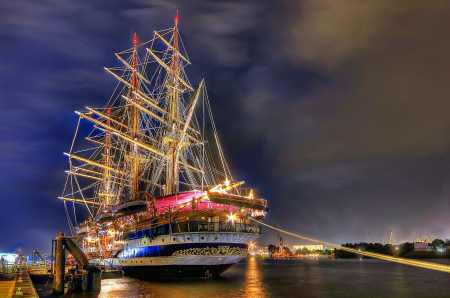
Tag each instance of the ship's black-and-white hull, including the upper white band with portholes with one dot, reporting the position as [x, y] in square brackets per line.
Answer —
[182, 258]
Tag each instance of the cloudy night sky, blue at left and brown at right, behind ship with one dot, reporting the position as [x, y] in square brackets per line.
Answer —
[337, 111]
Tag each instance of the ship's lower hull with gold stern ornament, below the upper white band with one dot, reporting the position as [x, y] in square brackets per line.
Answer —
[192, 260]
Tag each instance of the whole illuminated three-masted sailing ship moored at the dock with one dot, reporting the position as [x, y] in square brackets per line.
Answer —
[148, 189]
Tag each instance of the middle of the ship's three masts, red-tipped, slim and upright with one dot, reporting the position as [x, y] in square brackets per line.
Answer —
[135, 120]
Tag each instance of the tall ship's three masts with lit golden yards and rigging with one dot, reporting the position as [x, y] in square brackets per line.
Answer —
[142, 131]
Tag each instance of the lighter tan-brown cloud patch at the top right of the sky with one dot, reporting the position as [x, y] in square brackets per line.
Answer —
[333, 31]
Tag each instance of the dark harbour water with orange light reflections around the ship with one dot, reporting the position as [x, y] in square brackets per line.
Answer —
[256, 277]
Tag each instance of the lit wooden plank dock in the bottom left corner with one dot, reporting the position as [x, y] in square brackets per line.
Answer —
[17, 285]
